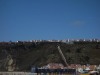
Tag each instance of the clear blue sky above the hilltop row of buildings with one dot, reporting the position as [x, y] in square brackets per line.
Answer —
[49, 19]
